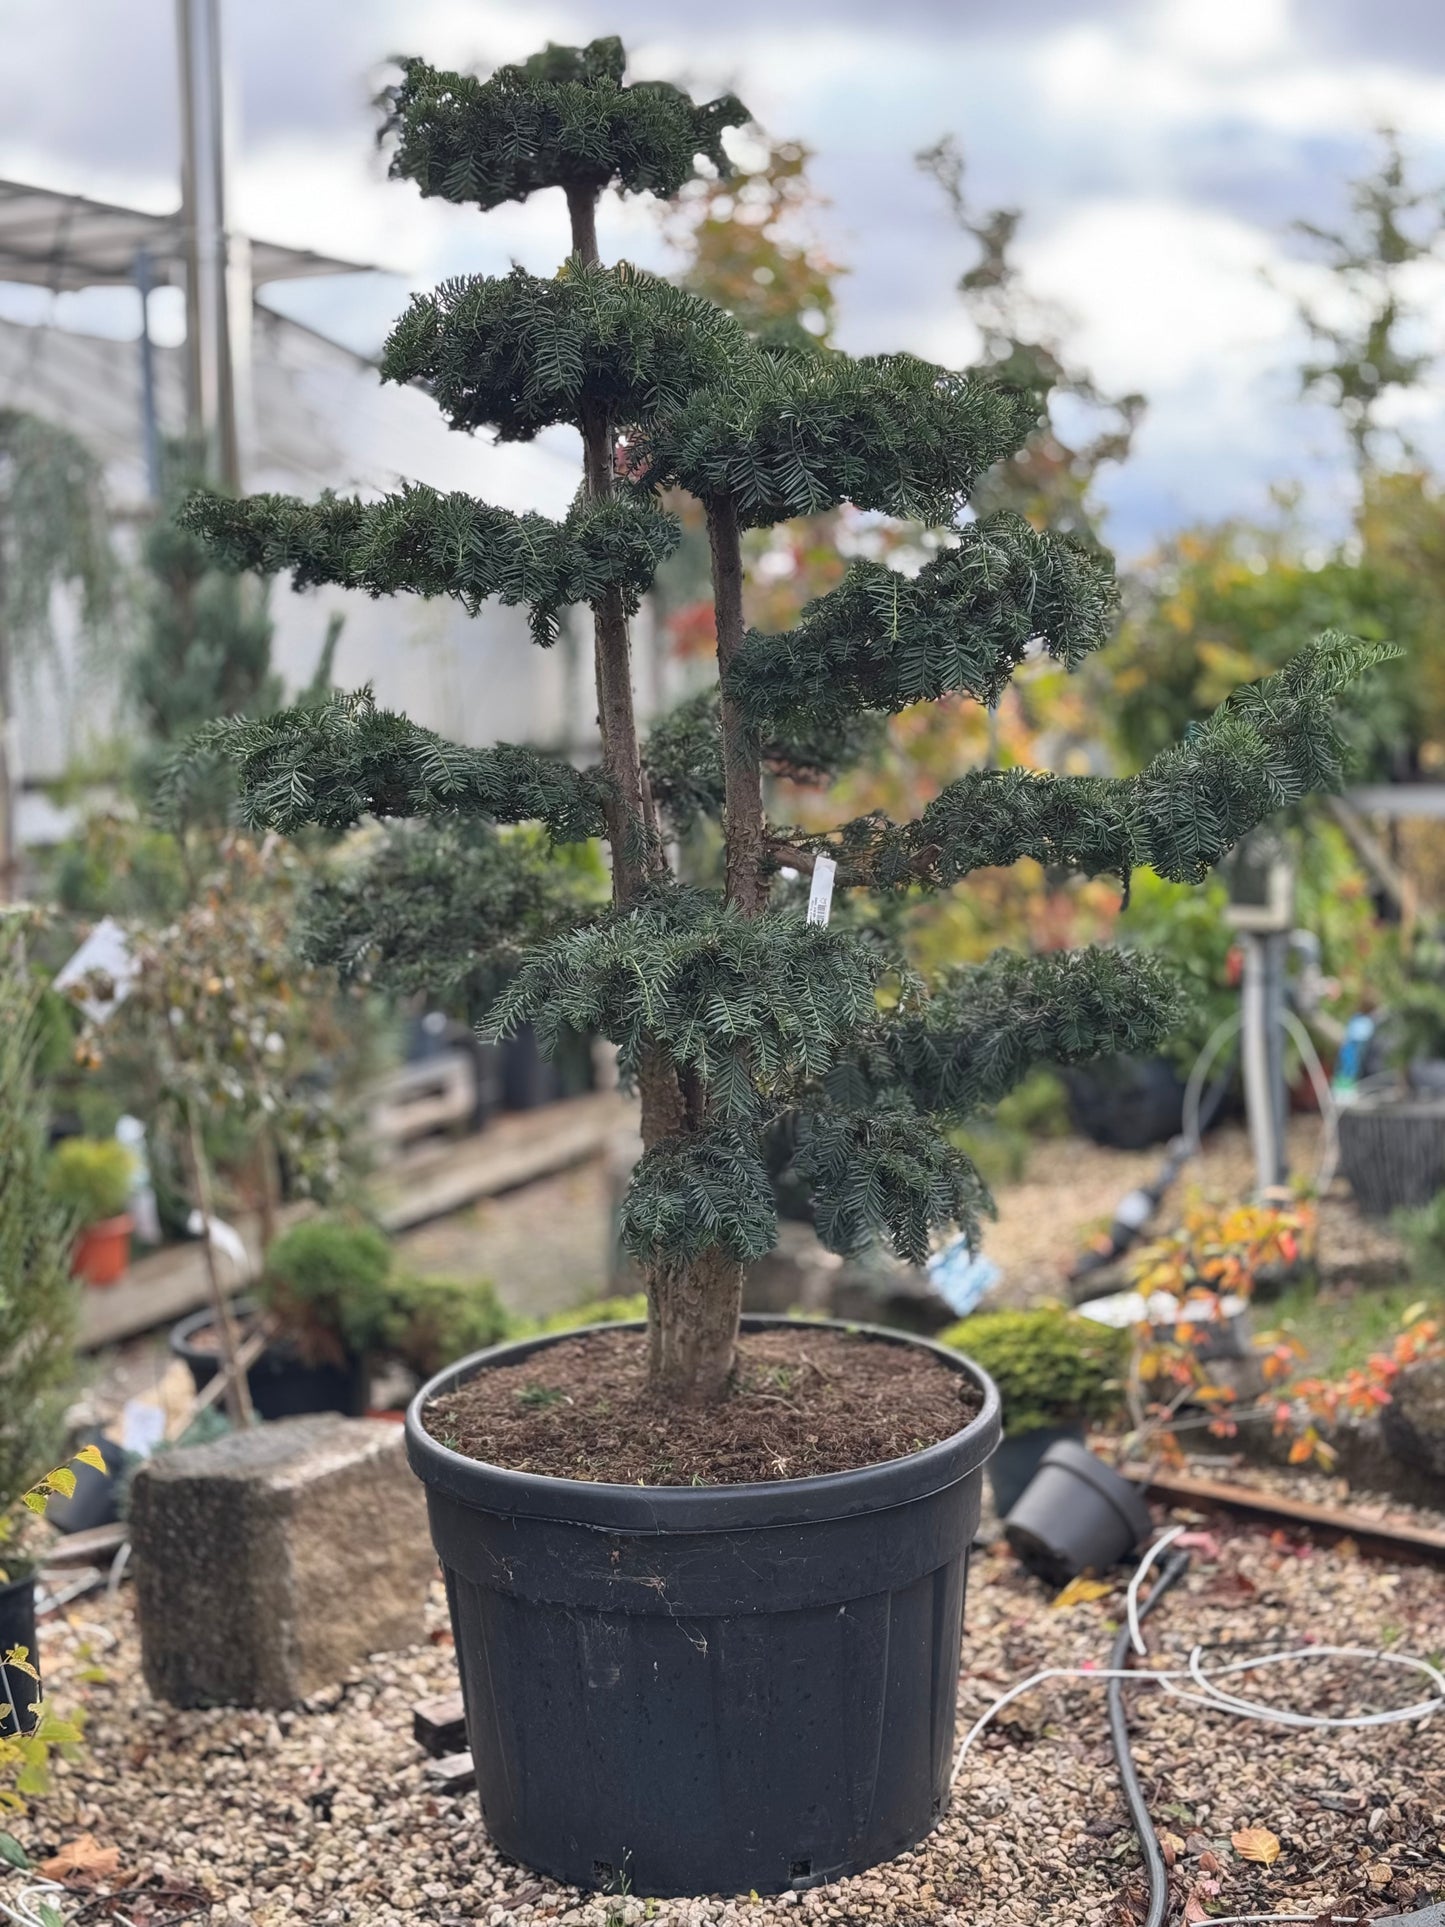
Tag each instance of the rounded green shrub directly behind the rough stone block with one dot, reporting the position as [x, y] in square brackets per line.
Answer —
[328, 1282]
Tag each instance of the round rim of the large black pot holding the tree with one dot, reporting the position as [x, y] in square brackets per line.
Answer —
[781, 1502]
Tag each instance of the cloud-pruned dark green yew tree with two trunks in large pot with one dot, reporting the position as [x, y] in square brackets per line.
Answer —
[735, 1015]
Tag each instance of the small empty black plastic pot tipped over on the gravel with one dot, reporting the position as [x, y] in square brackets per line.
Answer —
[1078, 1516]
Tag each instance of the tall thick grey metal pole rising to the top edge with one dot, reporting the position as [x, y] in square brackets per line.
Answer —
[203, 213]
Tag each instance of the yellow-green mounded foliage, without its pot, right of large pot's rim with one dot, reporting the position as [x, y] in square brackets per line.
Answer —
[1051, 1365]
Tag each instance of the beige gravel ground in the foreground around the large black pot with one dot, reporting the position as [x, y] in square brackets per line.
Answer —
[321, 1816]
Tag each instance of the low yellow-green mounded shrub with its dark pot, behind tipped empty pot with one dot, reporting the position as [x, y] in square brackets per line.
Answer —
[1057, 1373]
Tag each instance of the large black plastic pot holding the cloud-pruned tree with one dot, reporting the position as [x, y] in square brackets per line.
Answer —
[689, 1691]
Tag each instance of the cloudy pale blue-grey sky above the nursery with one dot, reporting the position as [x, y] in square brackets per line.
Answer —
[1161, 151]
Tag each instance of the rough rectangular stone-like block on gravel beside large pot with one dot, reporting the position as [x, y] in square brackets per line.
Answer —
[275, 1560]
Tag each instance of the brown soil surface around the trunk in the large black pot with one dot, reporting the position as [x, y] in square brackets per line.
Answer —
[802, 1404]
